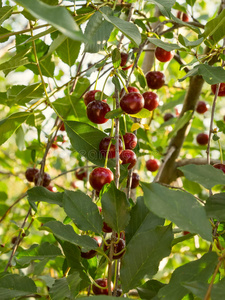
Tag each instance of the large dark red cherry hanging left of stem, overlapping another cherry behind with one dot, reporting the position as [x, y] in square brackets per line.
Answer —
[96, 111]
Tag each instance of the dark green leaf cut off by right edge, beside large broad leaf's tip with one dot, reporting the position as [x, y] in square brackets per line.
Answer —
[215, 207]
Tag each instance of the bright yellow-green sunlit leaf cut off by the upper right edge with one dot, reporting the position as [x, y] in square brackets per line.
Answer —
[215, 28]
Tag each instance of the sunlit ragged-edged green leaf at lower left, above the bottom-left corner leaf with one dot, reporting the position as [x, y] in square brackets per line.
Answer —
[38, 252]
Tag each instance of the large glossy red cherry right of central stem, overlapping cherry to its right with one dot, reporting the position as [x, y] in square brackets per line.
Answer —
[132, 103]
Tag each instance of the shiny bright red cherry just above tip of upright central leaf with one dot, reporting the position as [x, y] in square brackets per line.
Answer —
[99, 177]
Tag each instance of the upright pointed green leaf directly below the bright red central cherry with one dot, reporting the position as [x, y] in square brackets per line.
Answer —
[115, 208]
